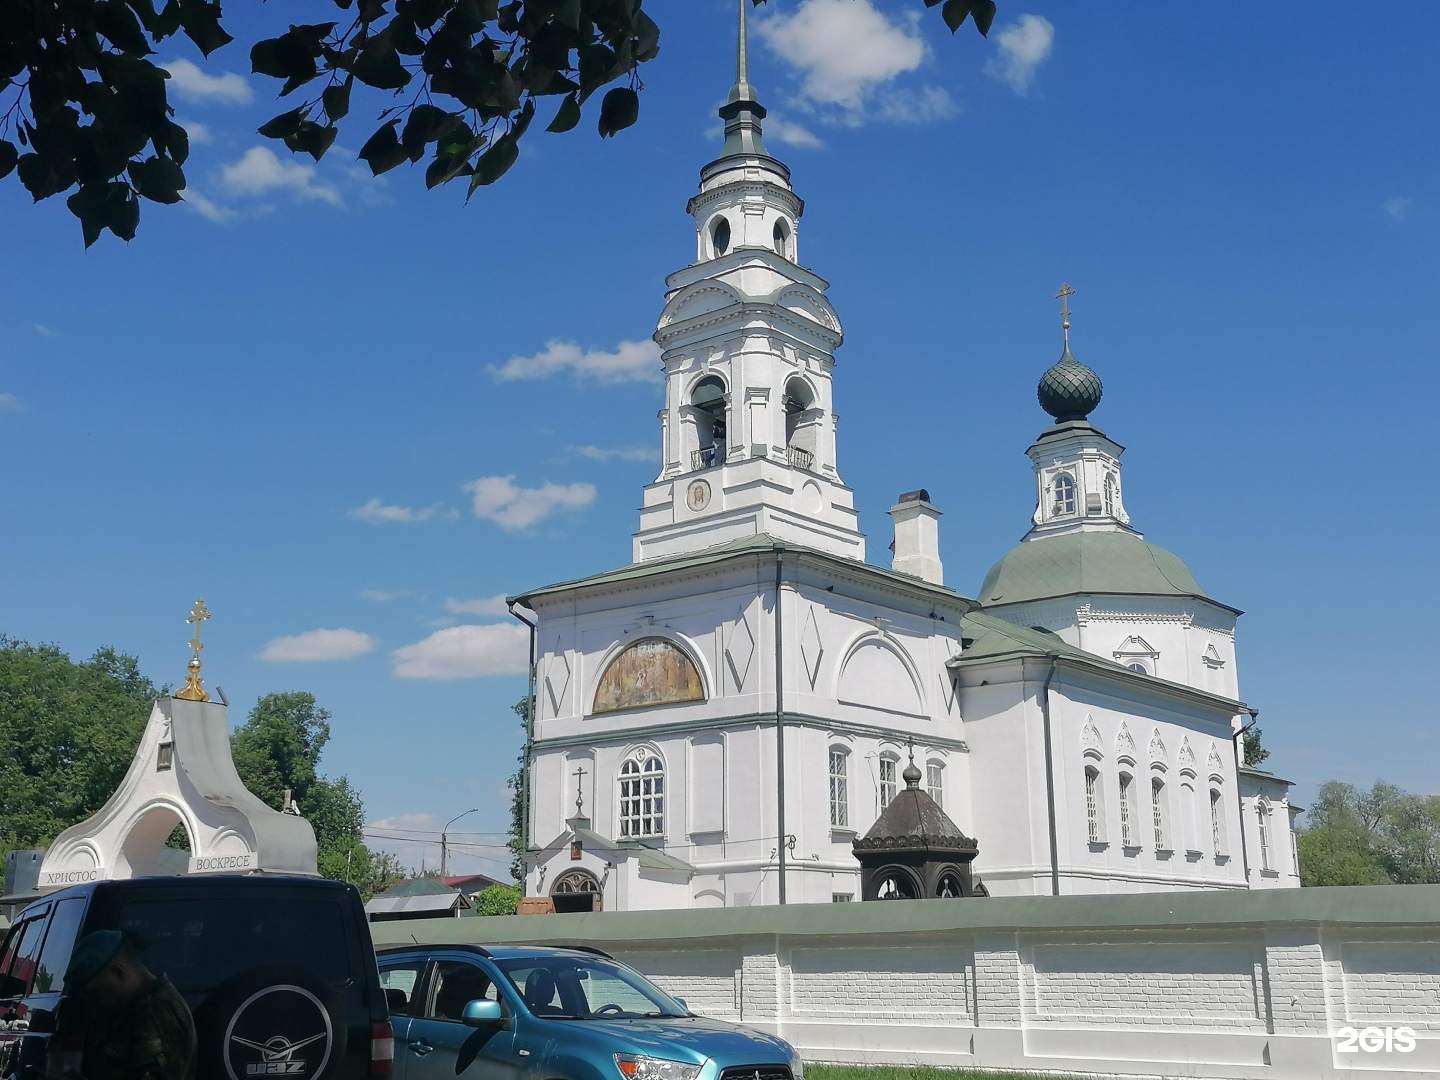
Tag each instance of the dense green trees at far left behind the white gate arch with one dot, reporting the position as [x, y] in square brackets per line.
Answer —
[68, 734]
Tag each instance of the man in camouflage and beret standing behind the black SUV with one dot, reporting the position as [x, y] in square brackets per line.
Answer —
[146, 1030]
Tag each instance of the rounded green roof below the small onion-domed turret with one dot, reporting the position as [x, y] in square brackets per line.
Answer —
[1088, 564]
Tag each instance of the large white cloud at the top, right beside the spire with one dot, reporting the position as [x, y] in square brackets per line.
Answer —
[843, 50]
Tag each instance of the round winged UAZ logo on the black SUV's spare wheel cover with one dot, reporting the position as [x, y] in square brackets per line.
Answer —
[282, 1030]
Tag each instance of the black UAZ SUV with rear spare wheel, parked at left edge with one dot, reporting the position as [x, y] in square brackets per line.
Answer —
[279, 971]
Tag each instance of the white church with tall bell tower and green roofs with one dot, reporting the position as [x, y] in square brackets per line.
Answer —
[719, 722]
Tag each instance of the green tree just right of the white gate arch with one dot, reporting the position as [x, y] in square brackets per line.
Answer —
[277, 751]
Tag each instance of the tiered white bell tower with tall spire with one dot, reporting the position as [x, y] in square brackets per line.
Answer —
[748, 343]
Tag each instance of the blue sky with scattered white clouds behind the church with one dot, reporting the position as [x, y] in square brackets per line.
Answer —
[333, 404]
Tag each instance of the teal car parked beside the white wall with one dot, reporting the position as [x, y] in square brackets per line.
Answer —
[529, 1013]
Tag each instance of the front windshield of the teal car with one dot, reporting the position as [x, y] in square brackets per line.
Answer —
[587, 989]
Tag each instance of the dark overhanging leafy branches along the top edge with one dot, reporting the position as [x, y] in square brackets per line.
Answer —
[84, 110]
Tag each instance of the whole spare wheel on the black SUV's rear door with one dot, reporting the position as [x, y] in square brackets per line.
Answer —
[271, 1023]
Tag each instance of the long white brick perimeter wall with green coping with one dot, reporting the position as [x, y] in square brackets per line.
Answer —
[1225, 984]
